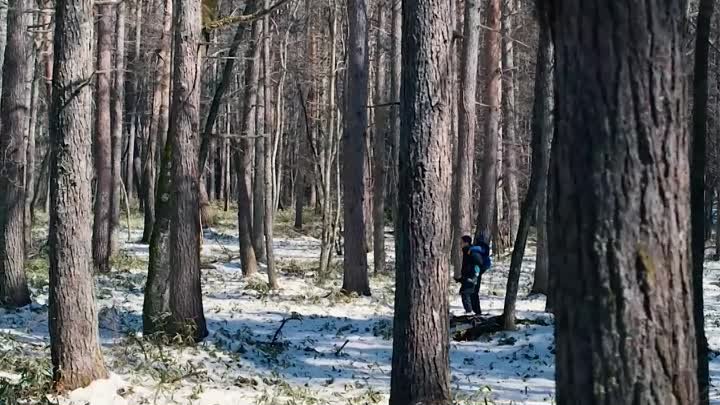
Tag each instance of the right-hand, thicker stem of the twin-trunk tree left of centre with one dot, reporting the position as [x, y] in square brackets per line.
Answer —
[185, 232]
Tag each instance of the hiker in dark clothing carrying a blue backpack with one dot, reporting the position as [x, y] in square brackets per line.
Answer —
[470, 275]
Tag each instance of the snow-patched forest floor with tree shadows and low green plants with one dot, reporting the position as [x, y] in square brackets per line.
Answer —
[332, 349]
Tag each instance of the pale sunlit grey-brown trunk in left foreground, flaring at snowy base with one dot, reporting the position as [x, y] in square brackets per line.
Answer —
[75, 351]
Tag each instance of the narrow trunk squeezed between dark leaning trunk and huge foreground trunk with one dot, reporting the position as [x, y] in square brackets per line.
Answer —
[542, 121]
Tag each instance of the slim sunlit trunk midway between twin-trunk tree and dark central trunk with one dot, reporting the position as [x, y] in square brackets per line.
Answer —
[267, 156]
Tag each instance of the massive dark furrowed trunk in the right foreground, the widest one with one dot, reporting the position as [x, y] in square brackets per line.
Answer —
[619, 216]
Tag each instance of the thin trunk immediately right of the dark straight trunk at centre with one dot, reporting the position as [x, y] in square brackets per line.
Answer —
[379, 156]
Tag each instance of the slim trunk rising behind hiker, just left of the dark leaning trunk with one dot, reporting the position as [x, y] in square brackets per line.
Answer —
[510, 140]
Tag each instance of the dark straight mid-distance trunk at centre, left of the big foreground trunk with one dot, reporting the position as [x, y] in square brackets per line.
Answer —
[355, 277]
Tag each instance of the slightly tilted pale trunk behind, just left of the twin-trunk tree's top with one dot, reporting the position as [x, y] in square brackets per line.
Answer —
[159, 121]
